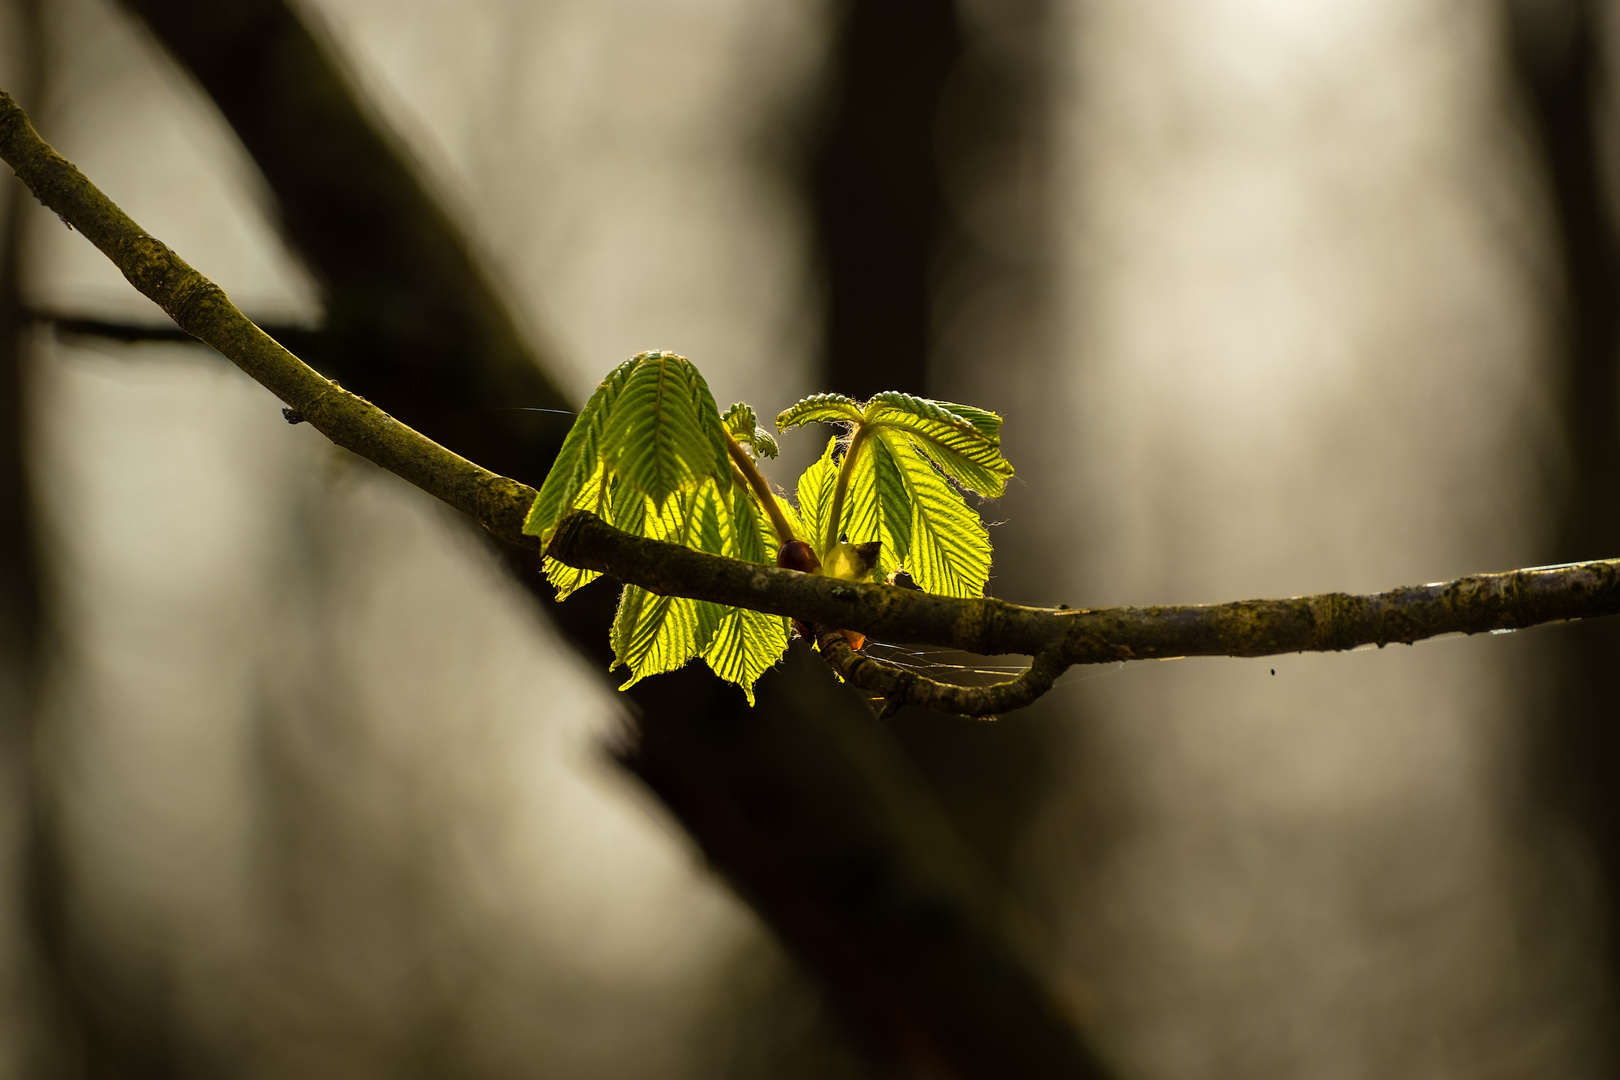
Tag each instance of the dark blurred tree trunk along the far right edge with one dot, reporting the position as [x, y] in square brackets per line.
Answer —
[1559, 56]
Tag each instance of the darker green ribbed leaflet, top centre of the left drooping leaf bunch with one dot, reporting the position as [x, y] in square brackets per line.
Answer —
[663, 435]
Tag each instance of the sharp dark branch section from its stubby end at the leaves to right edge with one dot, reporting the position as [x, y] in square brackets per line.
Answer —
[1302, 624]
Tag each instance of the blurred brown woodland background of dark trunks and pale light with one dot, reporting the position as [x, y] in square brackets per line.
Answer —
[304, 778]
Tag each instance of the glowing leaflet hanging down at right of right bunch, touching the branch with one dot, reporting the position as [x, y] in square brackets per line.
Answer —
[950, 546]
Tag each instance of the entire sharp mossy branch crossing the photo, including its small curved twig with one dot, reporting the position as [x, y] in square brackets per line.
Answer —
[1057, 637]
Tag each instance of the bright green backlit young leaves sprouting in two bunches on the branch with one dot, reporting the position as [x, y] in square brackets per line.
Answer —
[652, 456]
